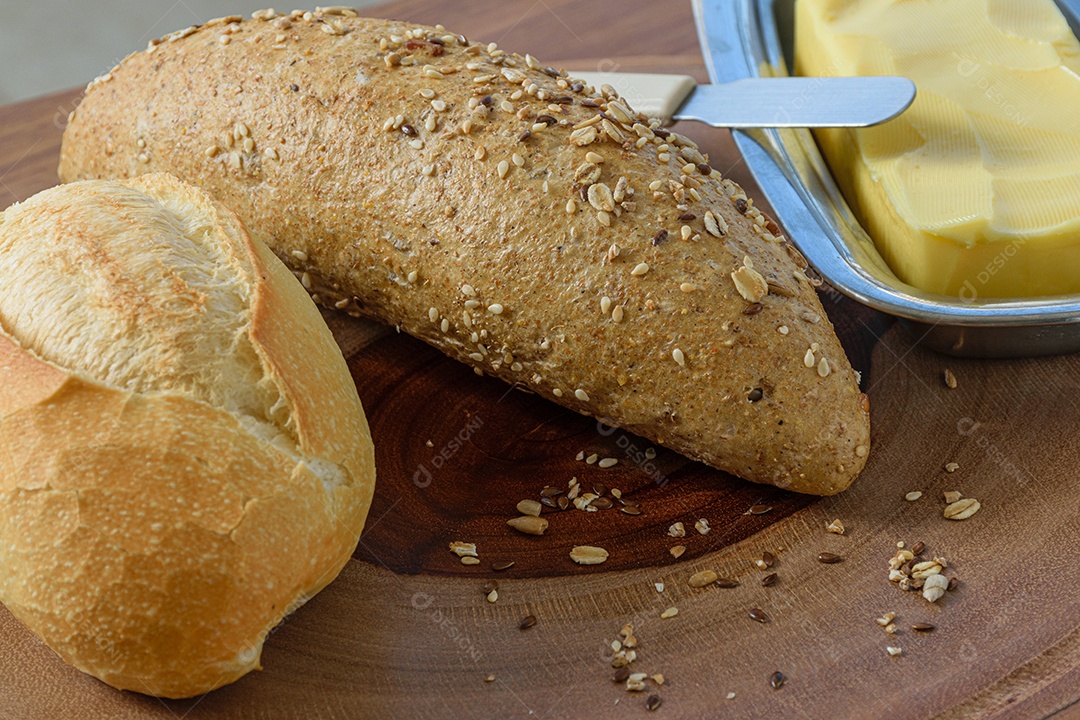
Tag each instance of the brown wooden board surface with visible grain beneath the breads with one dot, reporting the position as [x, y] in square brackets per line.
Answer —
[407, 631]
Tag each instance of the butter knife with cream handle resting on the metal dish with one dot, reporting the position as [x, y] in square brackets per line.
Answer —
[763, 102]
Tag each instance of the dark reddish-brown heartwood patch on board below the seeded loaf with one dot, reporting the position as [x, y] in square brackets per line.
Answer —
[493, 445]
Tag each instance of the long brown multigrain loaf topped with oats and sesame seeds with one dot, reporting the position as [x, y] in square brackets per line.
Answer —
[521, 223]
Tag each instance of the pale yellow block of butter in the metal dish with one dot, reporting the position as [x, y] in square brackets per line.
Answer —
[975, 192]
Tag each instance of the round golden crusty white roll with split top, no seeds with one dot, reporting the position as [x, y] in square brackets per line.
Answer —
[184, 459]
